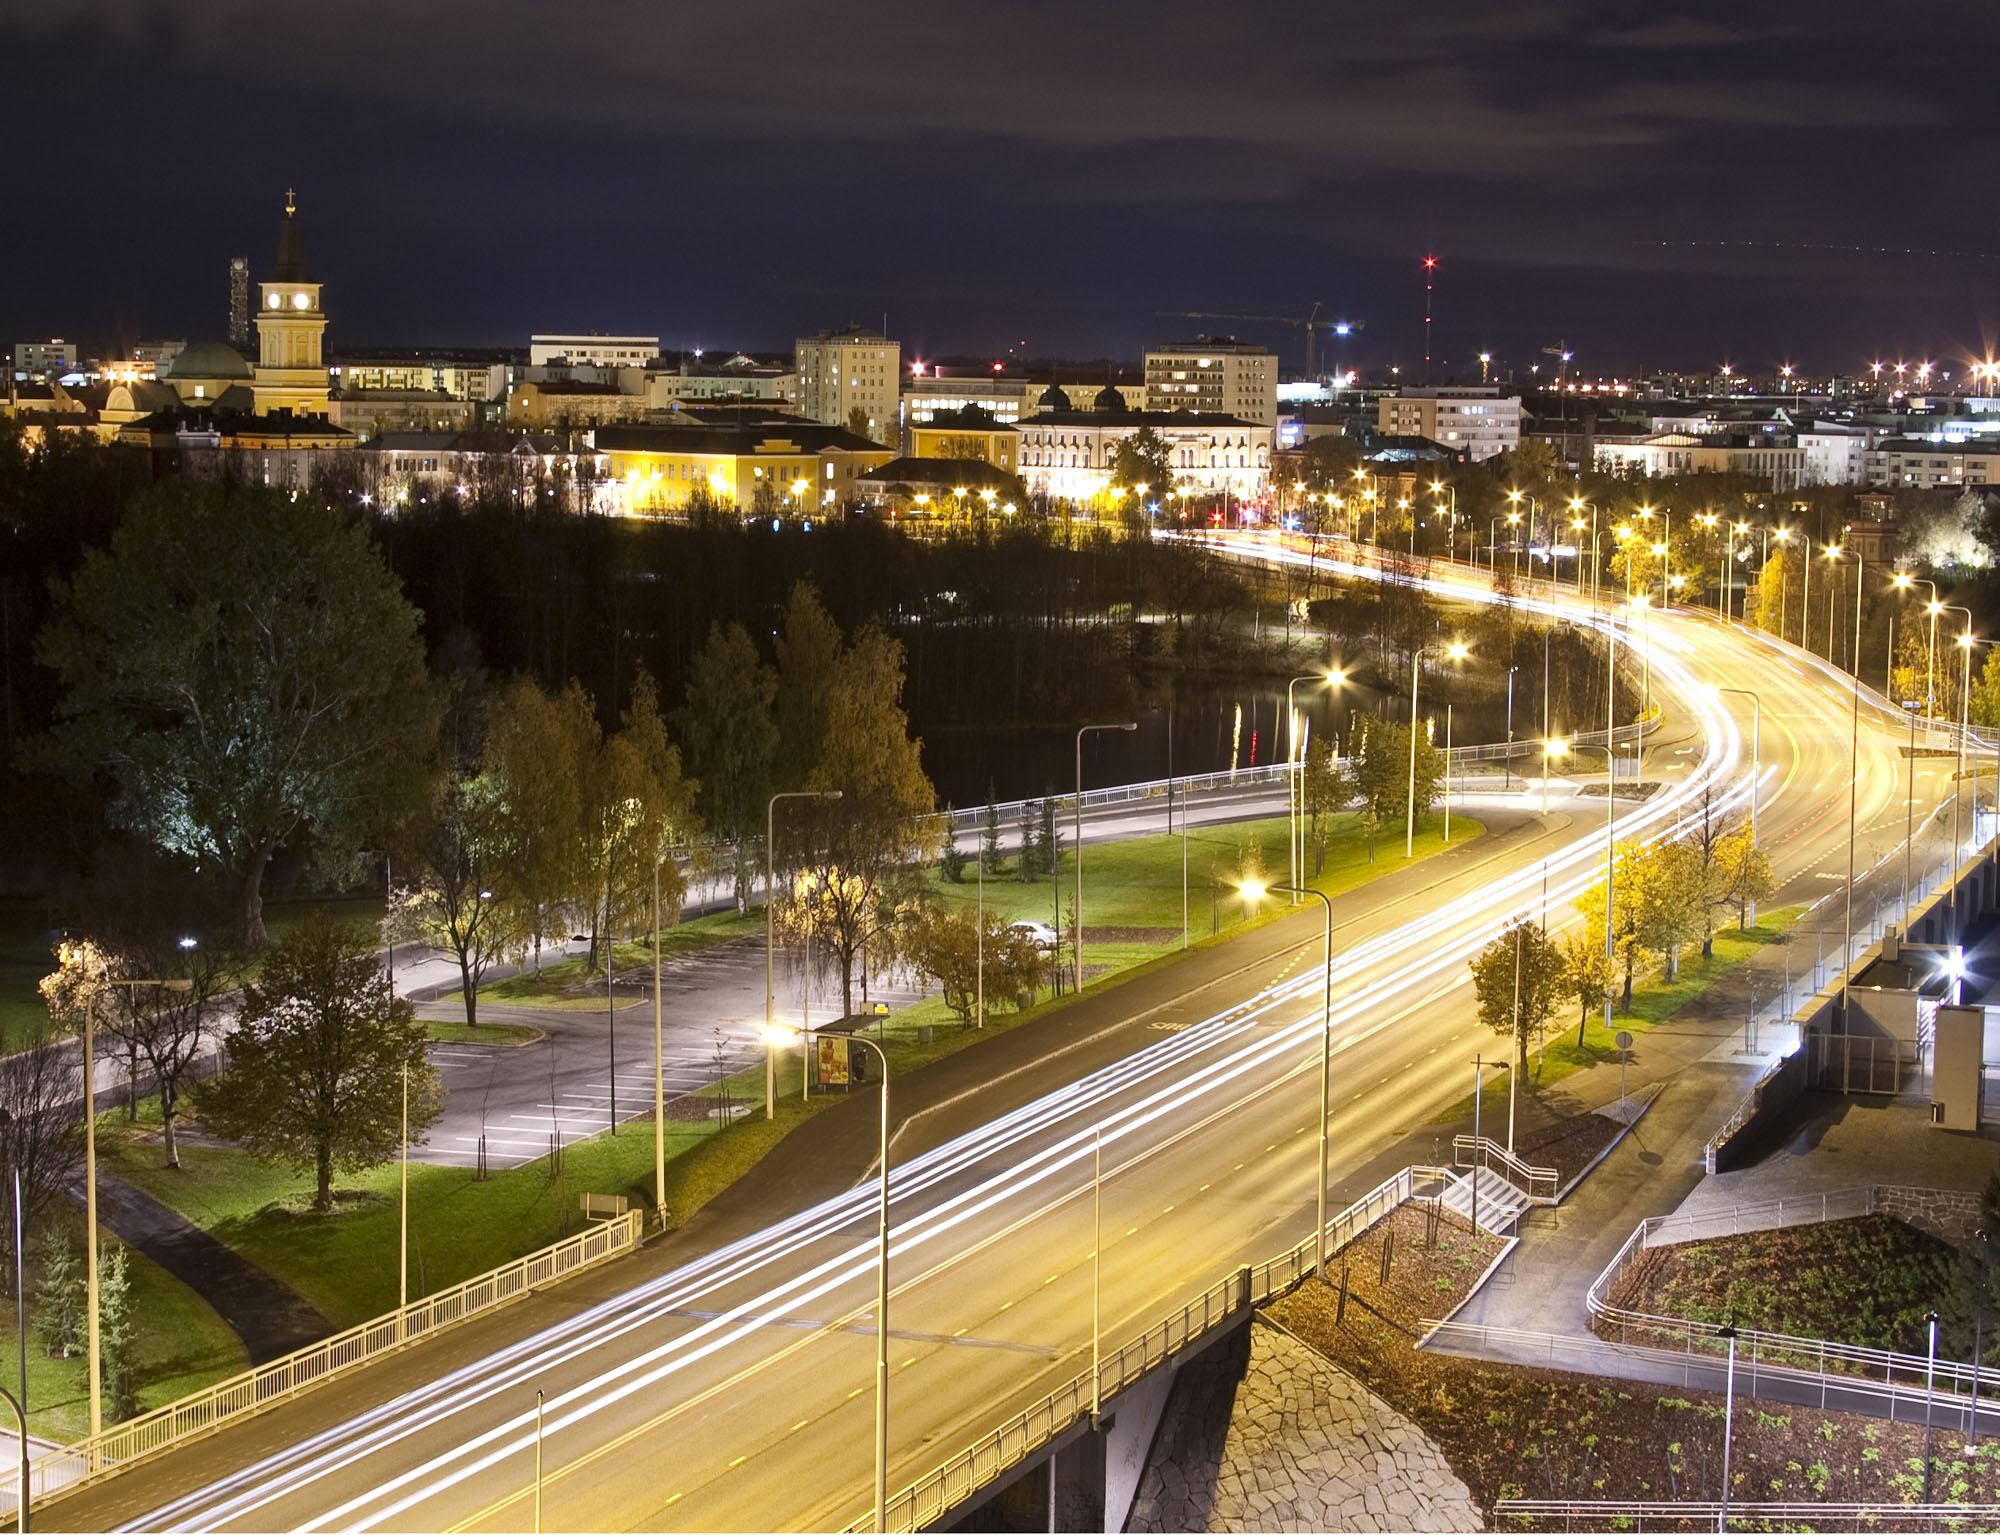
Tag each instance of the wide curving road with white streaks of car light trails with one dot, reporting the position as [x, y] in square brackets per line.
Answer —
[735, 1392]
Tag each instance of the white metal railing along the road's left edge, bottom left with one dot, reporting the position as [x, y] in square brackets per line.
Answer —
[259, 1388]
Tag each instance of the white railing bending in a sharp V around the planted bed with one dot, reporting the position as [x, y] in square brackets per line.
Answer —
[1811, 1358]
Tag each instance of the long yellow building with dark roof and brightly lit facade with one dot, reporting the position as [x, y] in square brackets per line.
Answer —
[777, 469]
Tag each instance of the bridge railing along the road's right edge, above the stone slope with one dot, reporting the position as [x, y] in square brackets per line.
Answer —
[995, 1454]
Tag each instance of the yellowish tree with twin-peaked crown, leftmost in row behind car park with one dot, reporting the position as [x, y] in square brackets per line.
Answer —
[539, 749]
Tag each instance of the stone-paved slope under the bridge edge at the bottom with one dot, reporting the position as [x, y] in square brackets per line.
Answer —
[1295, 1446]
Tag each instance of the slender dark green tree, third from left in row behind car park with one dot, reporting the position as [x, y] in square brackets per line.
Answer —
[733, 745]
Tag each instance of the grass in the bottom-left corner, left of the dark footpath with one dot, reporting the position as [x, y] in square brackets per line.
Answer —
[181, 1346]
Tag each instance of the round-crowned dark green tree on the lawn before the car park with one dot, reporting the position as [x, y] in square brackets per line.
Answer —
[319, 1060]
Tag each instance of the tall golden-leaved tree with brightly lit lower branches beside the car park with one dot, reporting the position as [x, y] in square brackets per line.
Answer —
[867, 844]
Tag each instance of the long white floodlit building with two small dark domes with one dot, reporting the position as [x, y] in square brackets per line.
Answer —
[1067, 453]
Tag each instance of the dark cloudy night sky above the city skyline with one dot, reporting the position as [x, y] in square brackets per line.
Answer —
[1037, 173]
